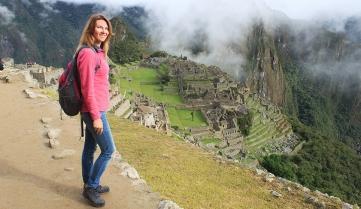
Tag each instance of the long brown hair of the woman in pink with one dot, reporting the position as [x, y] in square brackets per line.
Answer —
[87, 37]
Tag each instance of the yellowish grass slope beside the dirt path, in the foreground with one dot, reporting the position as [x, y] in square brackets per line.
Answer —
[191, 177]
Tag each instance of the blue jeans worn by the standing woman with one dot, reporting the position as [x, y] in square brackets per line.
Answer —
[92, 172]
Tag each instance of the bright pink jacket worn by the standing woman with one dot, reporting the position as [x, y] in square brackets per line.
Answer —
[94, 72]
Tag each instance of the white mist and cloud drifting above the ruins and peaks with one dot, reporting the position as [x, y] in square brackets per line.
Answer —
[214, 32]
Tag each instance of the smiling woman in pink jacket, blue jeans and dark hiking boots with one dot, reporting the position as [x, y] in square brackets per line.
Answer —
[94, 72]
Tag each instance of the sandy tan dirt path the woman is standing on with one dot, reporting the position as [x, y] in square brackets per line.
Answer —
[30, 178]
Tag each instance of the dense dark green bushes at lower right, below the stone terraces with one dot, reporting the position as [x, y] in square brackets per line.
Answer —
[323, 164]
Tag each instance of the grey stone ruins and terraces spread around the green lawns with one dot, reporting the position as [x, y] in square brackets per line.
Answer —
[222, 102]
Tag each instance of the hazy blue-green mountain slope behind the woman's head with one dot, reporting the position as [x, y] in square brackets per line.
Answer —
[48, 33]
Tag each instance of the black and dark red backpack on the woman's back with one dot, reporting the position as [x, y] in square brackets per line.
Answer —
[70, 97]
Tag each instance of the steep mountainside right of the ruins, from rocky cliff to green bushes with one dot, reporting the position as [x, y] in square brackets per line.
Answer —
[317, 83]
